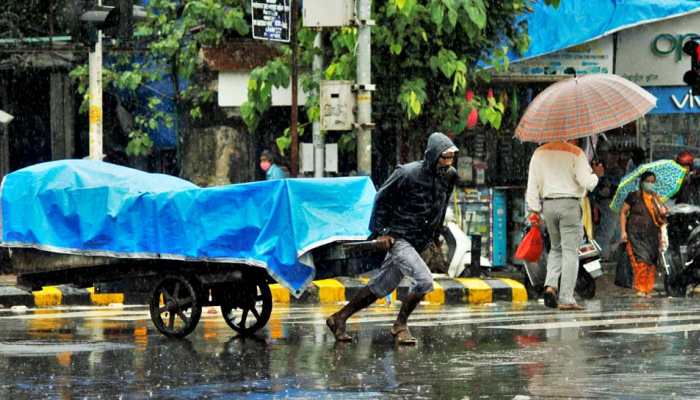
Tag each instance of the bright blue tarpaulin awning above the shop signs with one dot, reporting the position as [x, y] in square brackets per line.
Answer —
[576, 22]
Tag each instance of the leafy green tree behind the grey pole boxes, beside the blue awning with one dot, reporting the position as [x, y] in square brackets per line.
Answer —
[424, 58]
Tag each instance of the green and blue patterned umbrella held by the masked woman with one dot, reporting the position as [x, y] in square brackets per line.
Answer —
[669, 178]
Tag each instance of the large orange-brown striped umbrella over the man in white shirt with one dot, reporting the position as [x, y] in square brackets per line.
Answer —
[583, 106]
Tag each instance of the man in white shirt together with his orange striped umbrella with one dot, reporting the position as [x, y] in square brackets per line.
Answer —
[560, 173]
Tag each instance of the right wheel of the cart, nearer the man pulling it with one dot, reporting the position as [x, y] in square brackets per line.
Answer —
[249, 307]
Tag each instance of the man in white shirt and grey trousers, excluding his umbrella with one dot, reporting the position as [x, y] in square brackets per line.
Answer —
[558, 178]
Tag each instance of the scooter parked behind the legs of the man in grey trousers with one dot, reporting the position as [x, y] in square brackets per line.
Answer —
[535, 273]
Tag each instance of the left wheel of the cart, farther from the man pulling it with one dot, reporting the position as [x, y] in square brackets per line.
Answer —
[175, 308]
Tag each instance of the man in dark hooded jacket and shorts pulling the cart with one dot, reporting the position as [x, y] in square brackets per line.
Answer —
[408, 213]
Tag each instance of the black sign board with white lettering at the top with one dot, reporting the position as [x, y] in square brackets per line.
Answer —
[271, 19]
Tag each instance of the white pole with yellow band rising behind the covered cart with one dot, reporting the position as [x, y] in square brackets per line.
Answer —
[95, 110]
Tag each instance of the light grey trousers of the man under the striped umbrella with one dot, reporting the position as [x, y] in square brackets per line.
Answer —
[565, 228]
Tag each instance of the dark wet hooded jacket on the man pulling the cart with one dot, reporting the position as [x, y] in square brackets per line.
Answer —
[412, 202]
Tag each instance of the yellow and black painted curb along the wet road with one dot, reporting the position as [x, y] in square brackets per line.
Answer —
[325, 291]
